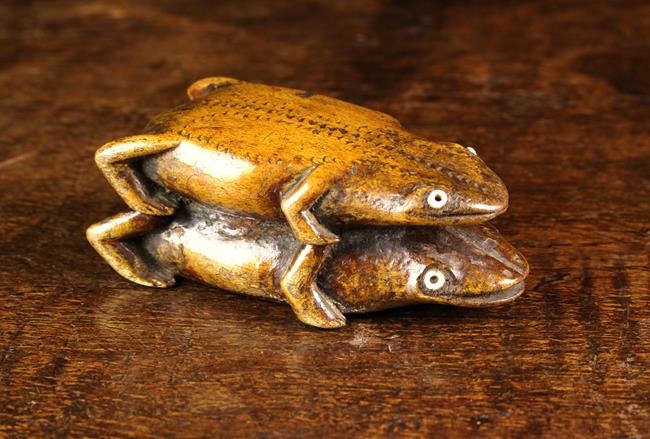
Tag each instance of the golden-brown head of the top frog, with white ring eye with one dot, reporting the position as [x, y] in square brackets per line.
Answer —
[435, 184]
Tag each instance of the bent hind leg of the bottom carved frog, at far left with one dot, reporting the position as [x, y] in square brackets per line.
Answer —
[110, 238]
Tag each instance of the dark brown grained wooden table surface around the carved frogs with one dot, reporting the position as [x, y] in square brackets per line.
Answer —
[555, 96]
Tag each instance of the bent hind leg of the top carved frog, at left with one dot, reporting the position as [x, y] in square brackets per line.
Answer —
[115, 160]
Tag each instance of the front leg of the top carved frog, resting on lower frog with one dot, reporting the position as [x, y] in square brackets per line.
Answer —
[298, 200]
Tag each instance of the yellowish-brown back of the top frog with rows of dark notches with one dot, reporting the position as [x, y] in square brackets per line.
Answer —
[259, 122]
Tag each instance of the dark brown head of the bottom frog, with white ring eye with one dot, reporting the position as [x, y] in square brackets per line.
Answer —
[456, 265]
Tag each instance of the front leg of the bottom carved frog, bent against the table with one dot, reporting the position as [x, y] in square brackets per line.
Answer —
[298, 285]
